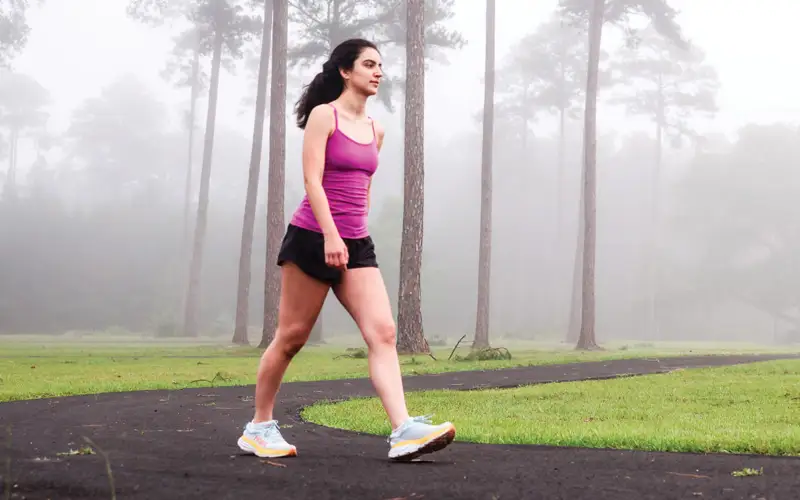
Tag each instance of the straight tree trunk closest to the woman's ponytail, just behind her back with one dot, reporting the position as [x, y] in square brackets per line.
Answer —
[277, 166]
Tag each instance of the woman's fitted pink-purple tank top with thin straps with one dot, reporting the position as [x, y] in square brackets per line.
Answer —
[349, 166]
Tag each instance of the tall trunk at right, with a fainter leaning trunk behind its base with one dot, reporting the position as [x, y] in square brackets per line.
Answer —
[587, 334]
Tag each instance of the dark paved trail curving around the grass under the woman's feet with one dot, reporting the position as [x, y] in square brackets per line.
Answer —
[182, 444]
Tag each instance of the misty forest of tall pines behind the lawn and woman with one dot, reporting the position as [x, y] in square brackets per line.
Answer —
[539, 219]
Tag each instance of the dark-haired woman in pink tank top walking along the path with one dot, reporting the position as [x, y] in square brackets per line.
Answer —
[327, 245]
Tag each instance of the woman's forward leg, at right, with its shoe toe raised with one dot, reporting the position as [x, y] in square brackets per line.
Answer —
[363, 293]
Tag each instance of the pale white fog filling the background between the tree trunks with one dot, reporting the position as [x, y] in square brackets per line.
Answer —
[92, 228]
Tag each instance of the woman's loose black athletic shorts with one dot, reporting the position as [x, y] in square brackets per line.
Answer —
[306, 249]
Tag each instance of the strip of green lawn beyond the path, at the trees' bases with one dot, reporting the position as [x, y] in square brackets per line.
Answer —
[45, 367]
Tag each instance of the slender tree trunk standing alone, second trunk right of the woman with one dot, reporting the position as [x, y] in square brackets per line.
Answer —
[485, 258]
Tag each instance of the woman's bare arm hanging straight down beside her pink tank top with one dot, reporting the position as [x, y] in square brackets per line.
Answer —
[321, 123]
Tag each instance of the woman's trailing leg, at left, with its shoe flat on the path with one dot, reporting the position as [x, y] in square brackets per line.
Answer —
[300, 303]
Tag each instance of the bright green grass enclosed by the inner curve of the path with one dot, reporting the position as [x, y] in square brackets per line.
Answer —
[739, 409]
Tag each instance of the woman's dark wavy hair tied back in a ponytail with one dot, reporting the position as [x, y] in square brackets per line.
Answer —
[328, 84]
